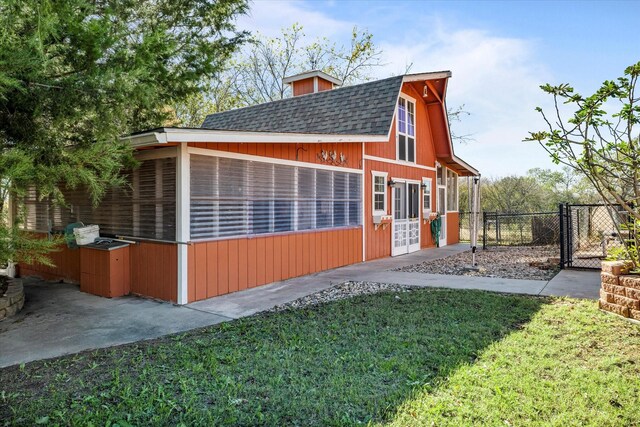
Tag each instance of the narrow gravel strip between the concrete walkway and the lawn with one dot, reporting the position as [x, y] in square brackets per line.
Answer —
[342, 291]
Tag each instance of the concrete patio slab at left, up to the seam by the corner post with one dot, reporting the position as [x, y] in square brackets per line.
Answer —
[58, 319]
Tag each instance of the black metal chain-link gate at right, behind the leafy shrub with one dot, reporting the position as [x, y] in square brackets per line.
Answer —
[587, 232]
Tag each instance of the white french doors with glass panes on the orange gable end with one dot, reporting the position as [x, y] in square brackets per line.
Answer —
[406, 218]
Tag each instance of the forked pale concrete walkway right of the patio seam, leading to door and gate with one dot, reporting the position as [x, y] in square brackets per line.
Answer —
[571, 283]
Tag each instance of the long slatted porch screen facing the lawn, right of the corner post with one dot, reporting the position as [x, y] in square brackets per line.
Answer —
[234, 198]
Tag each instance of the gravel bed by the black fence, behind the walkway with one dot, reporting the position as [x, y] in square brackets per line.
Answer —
[533, 263]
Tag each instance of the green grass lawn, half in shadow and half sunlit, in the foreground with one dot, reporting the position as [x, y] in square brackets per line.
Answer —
[425, 357]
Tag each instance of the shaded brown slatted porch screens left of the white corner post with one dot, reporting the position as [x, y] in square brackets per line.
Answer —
[144, 207]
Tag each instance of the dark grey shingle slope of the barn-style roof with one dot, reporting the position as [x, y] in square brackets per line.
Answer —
[364, 109]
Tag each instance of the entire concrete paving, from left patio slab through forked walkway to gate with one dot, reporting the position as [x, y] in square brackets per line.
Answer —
[58, 319]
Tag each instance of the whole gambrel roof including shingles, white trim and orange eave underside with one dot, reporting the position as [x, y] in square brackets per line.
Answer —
[352, 114]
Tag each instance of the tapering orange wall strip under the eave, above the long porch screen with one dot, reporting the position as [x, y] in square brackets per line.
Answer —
[301, 152]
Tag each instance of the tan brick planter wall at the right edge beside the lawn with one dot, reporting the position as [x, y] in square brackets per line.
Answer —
[620, 291]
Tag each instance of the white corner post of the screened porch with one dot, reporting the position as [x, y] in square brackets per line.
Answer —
[183, 207]
